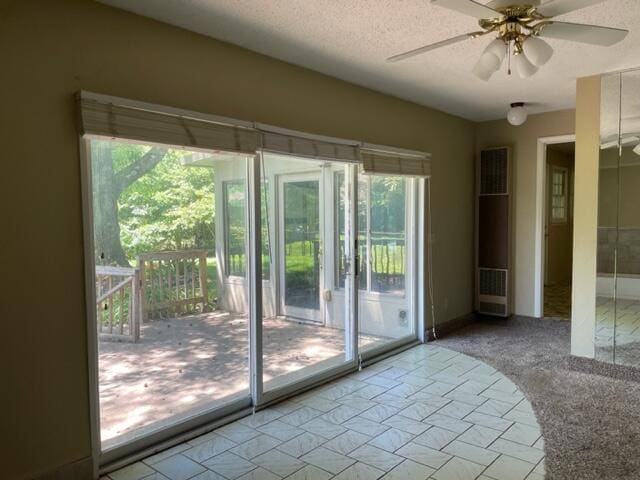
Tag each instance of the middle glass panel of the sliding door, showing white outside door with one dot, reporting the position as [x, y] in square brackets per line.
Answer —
[307, 334]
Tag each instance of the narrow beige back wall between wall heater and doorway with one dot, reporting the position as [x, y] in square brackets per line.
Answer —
[524, 141]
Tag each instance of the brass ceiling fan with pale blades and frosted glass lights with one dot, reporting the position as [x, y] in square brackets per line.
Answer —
[519, 27]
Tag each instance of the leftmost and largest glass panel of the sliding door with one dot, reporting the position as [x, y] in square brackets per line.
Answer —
[170, 274]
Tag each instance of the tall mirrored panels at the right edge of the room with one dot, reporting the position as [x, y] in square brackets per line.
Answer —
[618, 262]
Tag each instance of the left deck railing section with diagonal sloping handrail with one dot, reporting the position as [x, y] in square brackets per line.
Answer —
[118, 303]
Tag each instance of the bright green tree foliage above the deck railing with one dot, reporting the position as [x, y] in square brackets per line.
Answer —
[161, 206]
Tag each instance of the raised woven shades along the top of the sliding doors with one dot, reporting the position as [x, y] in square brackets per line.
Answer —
[114, 117]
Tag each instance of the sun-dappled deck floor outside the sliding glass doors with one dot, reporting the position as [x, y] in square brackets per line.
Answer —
[180, 365]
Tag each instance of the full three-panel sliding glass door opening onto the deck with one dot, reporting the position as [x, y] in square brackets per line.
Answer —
[226, 277]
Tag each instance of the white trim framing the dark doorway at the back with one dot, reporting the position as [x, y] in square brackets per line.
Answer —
[540, 249]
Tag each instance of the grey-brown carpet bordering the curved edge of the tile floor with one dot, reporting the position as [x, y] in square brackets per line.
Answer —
[589, 411]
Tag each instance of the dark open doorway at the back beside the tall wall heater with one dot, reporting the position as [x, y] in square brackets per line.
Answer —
[558, 230]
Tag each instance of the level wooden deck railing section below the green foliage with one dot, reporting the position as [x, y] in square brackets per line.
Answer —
[173, 283]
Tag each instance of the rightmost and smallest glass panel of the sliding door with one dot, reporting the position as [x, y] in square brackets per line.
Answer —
[387, 295]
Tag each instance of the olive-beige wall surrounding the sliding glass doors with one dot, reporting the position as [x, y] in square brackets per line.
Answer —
[50, 50]
